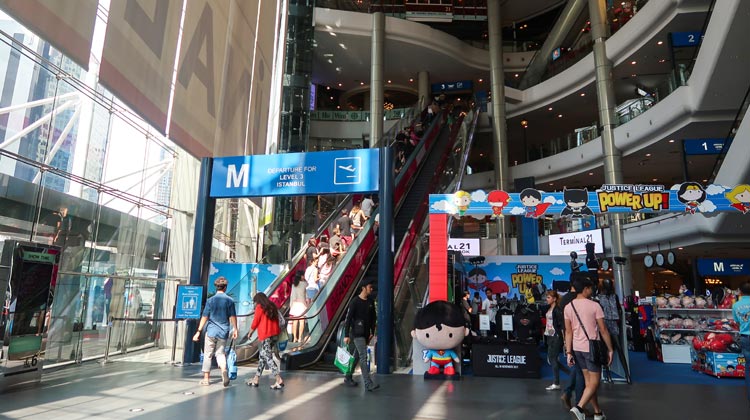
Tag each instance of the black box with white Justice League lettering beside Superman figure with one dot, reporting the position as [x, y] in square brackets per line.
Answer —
[508, 361]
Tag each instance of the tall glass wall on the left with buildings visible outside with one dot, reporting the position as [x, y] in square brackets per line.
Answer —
[78, 170]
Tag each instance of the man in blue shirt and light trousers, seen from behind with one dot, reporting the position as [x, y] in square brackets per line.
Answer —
[216, 318]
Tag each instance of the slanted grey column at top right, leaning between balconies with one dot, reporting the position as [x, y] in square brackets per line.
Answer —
[560, 30]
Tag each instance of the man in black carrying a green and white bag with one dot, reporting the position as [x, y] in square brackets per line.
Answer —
[360, 327]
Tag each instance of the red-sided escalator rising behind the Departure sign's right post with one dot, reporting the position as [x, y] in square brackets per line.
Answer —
[411, 197]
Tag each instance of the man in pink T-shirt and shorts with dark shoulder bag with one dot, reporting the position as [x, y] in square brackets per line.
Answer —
[584, 321]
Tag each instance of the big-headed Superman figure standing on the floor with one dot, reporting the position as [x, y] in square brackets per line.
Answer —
[440, 328]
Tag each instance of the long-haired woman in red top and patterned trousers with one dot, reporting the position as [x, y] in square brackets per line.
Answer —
[266, 321]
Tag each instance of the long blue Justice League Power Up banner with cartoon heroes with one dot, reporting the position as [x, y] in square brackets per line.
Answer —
[688, 197]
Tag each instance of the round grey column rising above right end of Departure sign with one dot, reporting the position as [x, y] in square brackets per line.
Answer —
[376, 78]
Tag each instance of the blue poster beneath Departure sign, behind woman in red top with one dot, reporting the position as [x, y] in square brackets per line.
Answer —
[244, 279]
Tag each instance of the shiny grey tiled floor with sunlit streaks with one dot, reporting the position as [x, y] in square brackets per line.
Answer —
[160, 391]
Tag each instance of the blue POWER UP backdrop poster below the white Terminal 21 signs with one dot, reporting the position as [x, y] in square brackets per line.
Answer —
[513, 276]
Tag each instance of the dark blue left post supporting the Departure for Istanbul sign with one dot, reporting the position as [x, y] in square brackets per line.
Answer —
[201, 259]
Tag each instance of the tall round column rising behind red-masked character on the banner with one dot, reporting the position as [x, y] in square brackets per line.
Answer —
[499, 126]
